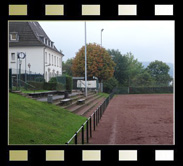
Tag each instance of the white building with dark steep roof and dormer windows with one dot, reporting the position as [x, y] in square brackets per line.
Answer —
[41, 54]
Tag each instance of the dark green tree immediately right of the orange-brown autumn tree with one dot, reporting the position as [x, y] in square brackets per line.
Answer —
[121, 68]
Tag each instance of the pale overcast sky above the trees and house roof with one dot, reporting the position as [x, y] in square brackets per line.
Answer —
[146, 40]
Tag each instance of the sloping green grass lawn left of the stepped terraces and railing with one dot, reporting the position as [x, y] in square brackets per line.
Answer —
[34, 122]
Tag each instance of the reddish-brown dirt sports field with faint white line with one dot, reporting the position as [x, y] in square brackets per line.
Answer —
[136, 119]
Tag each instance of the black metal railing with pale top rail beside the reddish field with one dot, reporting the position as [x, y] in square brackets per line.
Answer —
[85, 131]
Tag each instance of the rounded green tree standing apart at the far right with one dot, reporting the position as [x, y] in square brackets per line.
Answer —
[159, 72]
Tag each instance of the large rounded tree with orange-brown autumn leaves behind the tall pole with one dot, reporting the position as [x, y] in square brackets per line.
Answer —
[99, 63]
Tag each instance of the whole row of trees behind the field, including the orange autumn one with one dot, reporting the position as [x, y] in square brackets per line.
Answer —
[114, 69]
